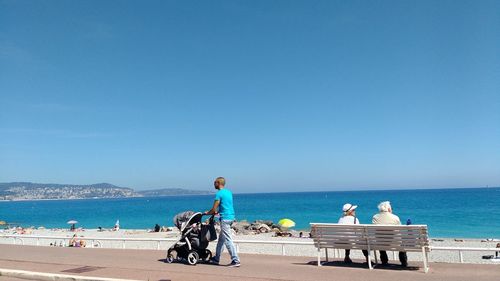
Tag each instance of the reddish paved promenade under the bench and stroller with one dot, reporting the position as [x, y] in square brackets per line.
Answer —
[148, 265]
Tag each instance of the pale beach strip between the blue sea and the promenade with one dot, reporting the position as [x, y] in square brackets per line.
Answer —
[291, 250]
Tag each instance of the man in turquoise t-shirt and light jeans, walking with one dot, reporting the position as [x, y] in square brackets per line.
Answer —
[223, 205]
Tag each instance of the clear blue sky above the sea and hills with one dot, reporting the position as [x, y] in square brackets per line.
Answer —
[273, 95]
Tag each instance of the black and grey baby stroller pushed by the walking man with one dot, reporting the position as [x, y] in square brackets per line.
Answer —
[195, 237]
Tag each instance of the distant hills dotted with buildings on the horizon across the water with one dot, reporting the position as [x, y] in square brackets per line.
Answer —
[43, 191]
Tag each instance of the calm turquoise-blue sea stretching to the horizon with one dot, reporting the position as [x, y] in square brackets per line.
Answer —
[467, 213]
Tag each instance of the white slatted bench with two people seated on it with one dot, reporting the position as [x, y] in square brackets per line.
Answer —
[401, 238]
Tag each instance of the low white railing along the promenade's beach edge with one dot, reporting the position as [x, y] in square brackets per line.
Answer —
[97, 241]
